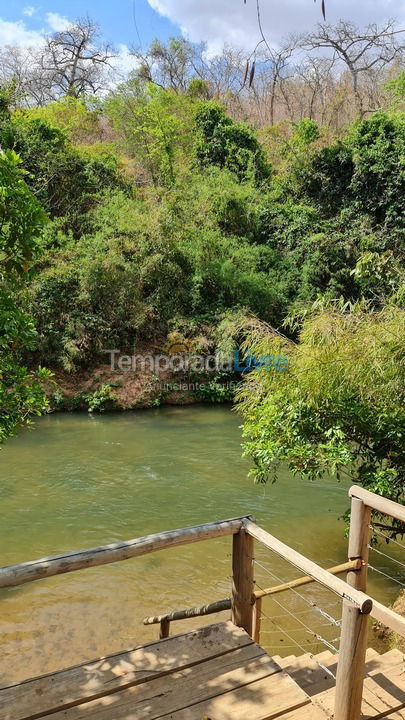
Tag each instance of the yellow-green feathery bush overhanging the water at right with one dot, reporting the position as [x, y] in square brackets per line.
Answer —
[338, 405]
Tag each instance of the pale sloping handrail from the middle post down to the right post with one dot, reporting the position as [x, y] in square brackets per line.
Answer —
[325, 578]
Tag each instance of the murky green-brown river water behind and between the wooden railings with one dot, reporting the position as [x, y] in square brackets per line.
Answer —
[78, 481]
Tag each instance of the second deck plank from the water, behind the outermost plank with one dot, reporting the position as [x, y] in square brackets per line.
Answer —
[178, 690]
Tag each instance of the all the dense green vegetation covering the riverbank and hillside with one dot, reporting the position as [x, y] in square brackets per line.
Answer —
[153, 211]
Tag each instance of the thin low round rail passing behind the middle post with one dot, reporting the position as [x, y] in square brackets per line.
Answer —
[222, 605]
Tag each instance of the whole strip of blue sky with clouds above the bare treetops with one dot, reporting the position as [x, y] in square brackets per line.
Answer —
[129, 23]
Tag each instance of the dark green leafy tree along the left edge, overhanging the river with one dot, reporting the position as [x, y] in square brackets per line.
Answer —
[21, 218]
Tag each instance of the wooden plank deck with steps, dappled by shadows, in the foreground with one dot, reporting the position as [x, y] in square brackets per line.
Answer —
[216, 673]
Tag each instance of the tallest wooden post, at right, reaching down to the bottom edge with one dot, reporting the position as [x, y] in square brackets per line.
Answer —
[353, 637]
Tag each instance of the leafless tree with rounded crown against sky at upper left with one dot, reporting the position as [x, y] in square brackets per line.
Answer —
[74, 62]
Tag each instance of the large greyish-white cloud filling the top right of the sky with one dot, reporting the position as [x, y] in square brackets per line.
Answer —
[234, 22]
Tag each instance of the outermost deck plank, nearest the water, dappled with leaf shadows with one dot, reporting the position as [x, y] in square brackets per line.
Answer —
[88, 681]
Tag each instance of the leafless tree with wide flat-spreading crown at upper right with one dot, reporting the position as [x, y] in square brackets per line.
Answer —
[360, 51]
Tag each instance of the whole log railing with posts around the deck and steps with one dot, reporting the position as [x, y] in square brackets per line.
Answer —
[245, 601]
